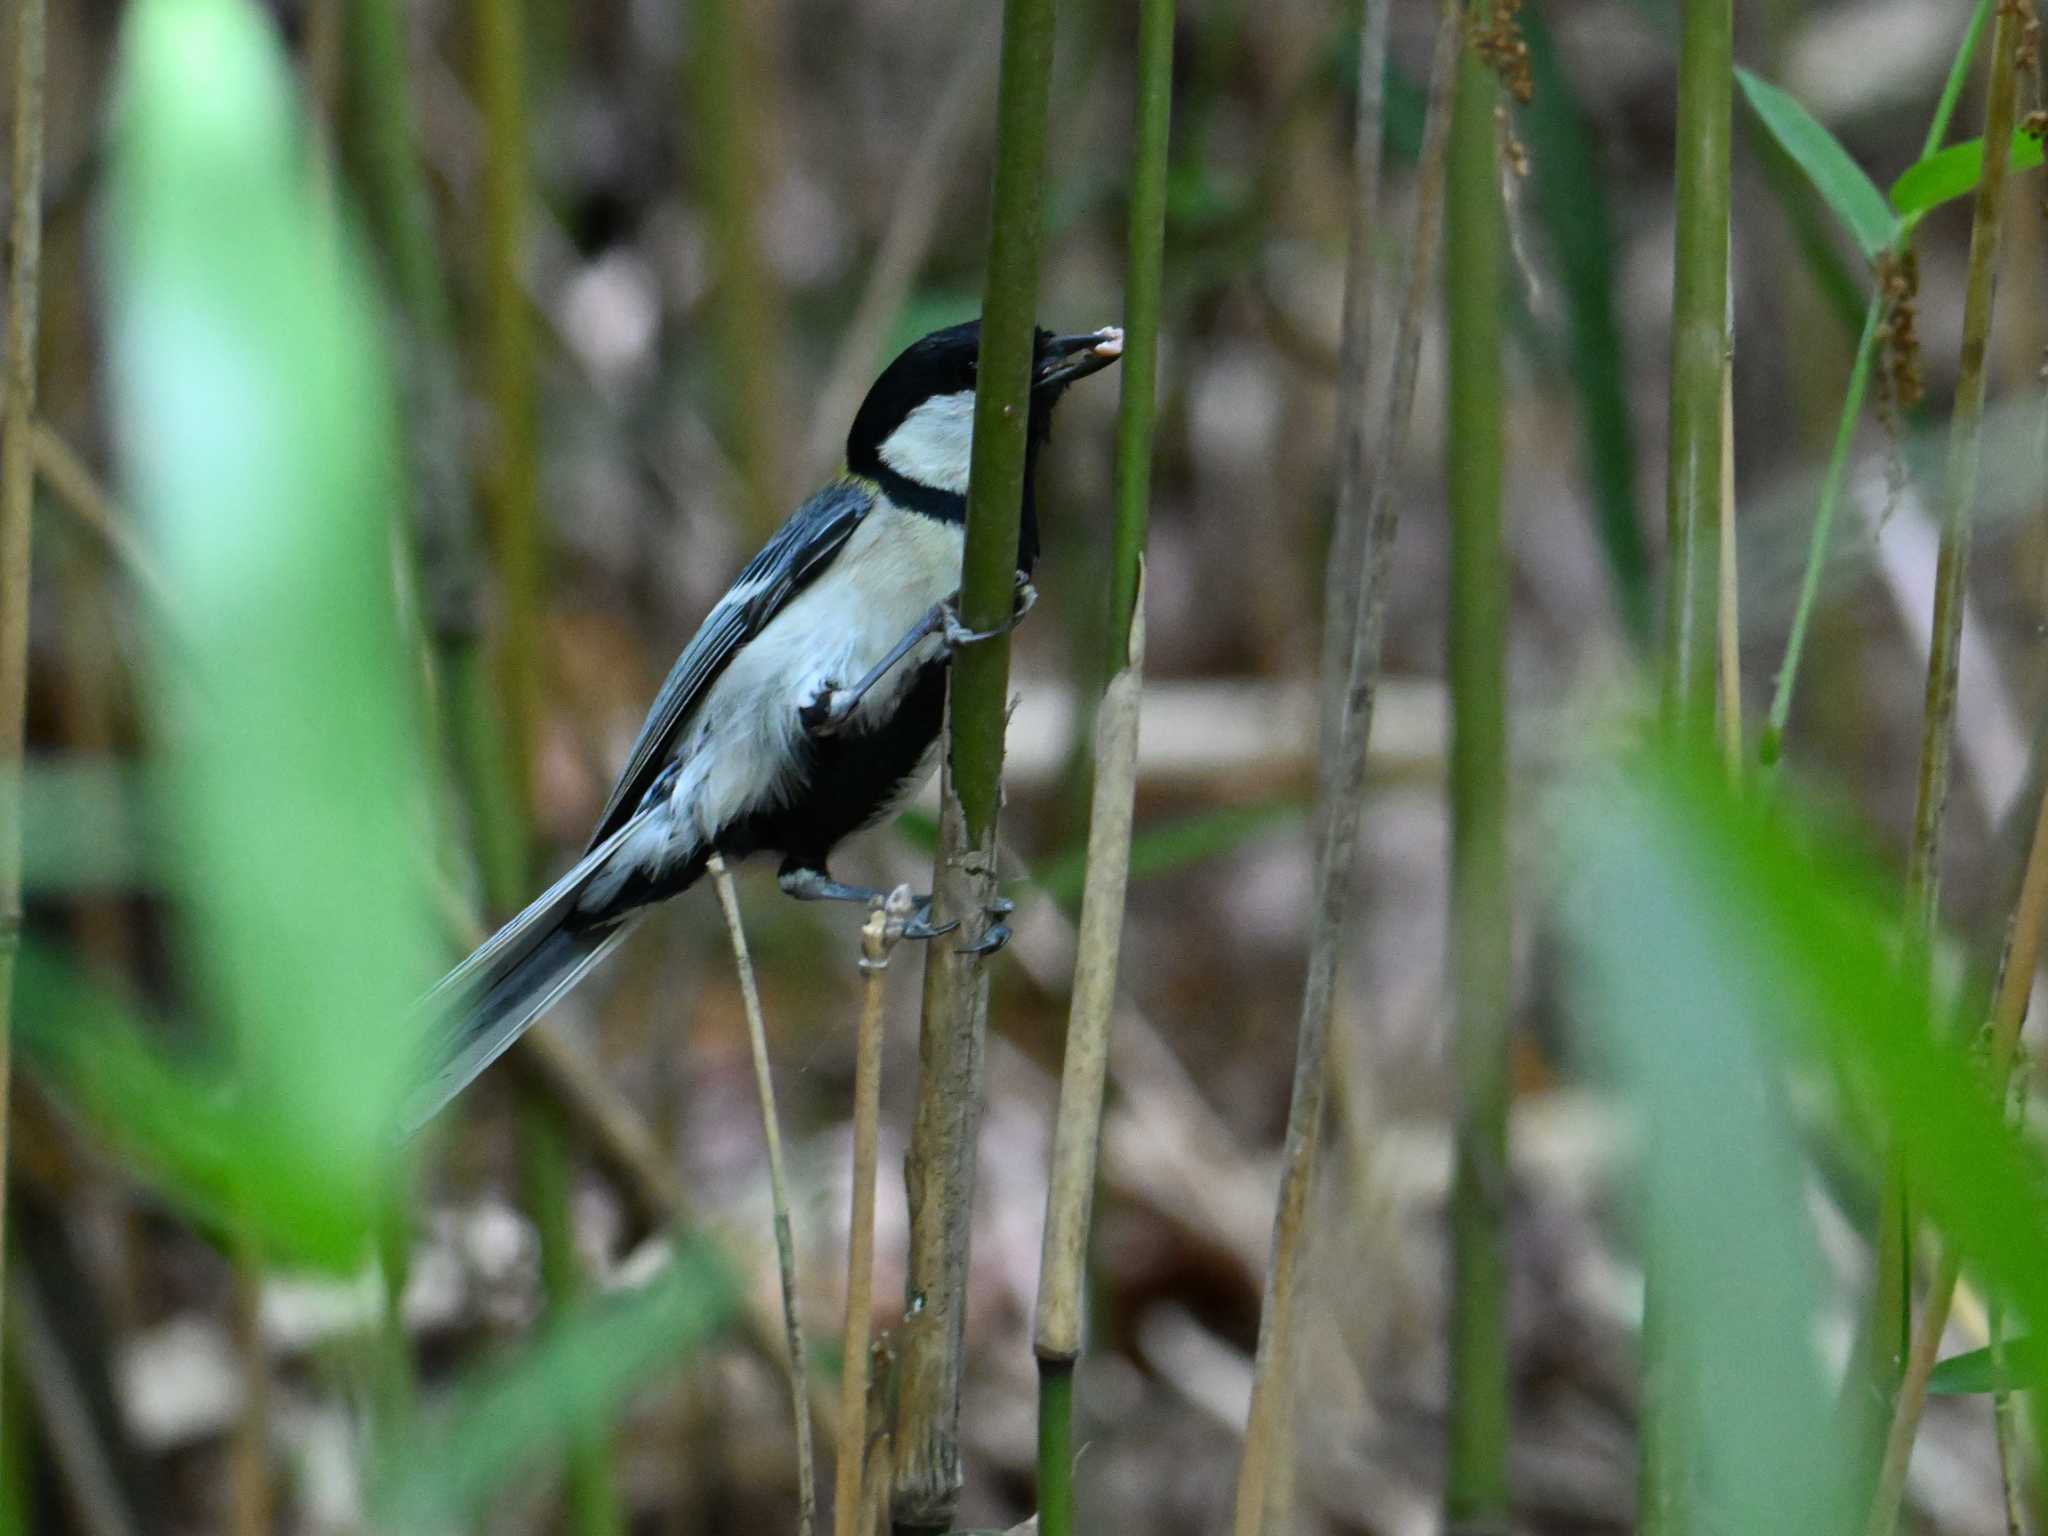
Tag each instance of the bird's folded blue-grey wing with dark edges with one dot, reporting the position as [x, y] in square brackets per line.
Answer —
[785, 566]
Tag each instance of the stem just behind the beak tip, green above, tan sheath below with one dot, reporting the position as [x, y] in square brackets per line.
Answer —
[1084, 1068]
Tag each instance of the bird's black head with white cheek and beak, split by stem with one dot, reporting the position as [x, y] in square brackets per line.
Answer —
[916, 429]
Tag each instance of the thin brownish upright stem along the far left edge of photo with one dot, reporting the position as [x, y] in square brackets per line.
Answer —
[17, 505]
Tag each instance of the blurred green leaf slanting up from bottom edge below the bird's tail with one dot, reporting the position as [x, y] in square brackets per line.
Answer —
[577, 1377]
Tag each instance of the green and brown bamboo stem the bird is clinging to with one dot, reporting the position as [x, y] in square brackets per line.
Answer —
[941, 1168]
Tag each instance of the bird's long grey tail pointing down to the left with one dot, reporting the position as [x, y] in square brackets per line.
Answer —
[484, 1005]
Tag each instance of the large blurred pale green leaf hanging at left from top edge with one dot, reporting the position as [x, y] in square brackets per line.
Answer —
[259, 452]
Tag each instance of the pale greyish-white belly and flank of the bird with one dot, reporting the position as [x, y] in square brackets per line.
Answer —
[742, 751]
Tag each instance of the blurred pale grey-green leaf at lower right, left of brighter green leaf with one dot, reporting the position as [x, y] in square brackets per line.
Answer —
[1680, 1002]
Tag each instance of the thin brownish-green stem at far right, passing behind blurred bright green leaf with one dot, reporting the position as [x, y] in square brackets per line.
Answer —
[1891, 1310]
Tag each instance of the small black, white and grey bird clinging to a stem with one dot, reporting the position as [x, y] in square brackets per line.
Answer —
[806, 708]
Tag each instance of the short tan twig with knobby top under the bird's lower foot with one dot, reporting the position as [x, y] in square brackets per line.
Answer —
[878, 939]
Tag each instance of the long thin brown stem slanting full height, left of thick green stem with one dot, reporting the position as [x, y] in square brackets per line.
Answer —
[1340, 798]
